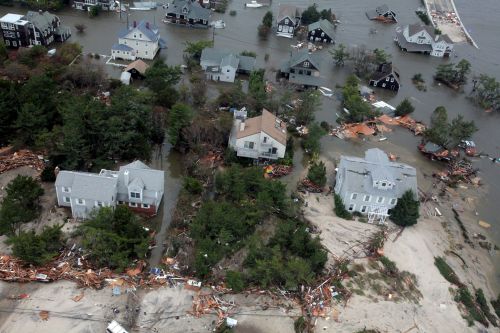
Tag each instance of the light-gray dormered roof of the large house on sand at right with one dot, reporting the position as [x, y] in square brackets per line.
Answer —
[357, 174]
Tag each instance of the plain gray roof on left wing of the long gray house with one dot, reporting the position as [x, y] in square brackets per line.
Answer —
[88, 186]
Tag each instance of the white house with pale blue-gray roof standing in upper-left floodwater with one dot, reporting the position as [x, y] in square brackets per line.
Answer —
[138, 41]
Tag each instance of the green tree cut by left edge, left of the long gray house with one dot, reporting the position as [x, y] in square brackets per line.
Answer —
[20, 205]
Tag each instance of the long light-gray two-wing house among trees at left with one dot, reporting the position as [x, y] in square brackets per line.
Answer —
[135, 185]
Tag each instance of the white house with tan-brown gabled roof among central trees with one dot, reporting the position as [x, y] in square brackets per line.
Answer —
[258, 137]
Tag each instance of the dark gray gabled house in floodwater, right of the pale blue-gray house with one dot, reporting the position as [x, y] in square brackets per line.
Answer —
[301, 70]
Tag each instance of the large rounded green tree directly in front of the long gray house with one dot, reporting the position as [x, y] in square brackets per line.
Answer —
[114, 238]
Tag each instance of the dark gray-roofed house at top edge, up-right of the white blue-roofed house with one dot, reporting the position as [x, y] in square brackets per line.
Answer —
[188, 13]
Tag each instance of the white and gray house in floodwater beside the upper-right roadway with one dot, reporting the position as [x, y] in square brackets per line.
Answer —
[420, 38]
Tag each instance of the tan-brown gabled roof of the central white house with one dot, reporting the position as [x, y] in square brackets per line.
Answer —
[267, 123]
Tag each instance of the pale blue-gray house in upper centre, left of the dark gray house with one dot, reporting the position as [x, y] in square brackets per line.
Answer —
[222, 65]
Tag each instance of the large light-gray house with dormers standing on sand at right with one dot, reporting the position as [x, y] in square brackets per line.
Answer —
[372, 185]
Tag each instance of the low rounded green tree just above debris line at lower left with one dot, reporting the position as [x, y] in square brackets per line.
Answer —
[37, 249]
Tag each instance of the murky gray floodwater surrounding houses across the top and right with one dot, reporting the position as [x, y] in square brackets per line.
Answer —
[481, 19]
